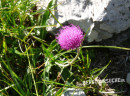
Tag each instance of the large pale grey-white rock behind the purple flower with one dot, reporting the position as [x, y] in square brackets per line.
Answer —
[103, 17]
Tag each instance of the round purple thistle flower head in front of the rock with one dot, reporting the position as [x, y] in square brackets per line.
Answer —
[70, 37]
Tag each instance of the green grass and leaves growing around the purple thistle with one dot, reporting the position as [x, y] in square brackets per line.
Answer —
[29, 64]
